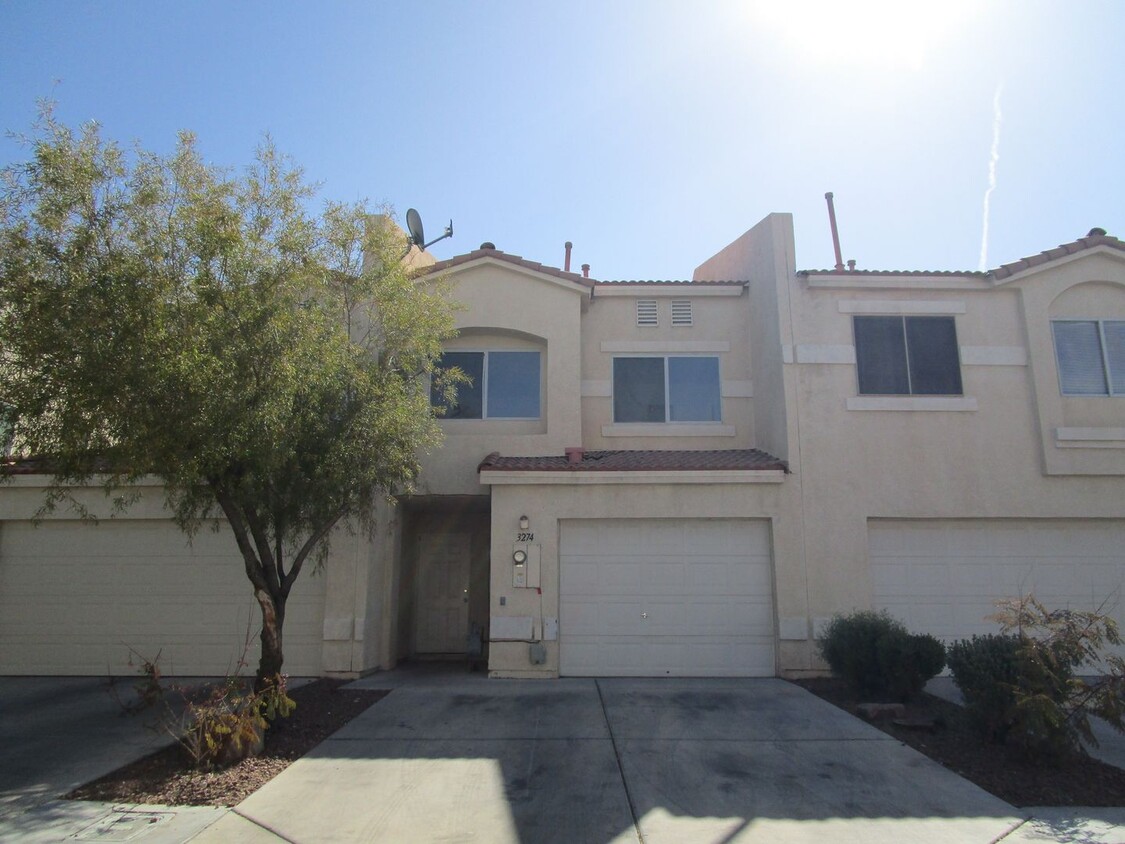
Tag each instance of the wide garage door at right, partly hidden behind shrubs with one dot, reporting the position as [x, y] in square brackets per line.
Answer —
[942, 577]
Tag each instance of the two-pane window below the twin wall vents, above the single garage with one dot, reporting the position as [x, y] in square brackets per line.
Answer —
[667, 390]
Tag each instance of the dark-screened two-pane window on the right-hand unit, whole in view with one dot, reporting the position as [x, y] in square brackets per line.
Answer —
[907, 356]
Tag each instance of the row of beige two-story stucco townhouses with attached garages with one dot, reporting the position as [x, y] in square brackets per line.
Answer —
[670, 479]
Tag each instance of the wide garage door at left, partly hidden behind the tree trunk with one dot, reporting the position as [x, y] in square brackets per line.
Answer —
[75, 597]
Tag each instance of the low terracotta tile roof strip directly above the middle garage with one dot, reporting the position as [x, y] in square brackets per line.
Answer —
[735, 460]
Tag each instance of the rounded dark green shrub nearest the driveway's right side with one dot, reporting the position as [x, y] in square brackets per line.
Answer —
[878, 657]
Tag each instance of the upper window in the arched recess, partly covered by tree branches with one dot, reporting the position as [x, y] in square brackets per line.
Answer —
[502, 385]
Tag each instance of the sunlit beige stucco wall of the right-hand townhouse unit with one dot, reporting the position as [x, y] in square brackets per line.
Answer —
[996, 461]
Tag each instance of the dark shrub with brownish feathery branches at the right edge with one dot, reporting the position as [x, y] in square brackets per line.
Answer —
[1023, 688]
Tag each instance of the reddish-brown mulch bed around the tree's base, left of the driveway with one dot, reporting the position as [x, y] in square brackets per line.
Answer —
[323, 707]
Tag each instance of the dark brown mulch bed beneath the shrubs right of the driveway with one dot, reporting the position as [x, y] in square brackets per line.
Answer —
[955, 744]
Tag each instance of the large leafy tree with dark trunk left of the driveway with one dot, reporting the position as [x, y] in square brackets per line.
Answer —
[163, 317]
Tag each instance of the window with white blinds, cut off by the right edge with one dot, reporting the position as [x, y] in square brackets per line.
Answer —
[1092, 357]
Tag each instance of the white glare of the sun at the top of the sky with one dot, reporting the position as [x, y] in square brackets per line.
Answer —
[892, 34]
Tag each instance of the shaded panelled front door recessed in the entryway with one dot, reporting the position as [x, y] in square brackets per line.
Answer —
[444, 594]
